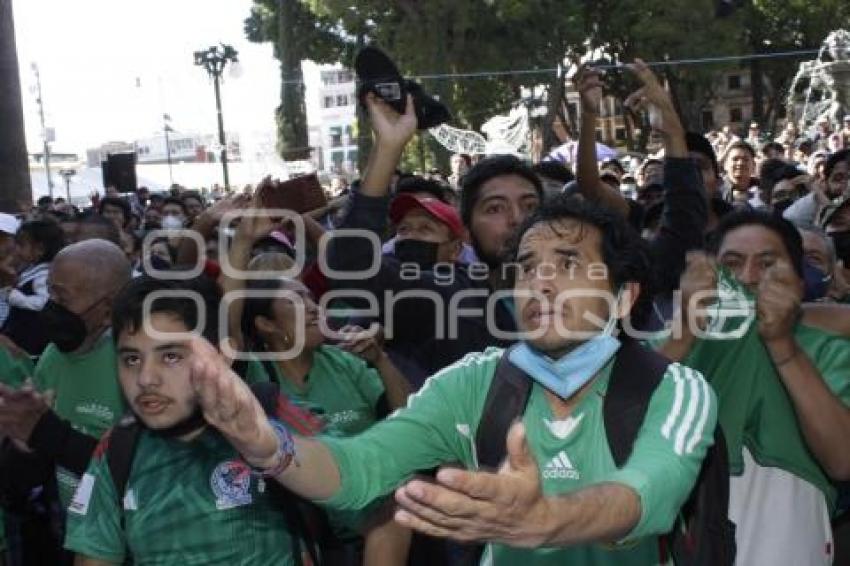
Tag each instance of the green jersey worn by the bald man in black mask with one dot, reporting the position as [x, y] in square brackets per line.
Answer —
[88, 394]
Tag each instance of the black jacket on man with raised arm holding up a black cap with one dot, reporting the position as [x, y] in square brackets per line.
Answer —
[424, 317]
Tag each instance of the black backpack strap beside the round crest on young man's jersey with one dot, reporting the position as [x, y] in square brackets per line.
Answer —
[292, 506]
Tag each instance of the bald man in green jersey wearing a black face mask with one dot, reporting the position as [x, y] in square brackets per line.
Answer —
[78, 366]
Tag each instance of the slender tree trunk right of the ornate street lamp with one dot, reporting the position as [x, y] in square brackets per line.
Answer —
[292, 113]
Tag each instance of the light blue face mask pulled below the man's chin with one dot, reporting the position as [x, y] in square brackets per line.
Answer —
[565, 376]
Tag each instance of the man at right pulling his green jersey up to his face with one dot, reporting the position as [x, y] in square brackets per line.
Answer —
[783, 388]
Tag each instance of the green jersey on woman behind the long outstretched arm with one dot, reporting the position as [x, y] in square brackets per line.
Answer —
[341, 386]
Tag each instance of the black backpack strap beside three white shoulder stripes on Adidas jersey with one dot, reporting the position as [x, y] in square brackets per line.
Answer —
[636, 374]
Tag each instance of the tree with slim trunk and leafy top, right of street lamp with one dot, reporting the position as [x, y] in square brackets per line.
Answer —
[297, 34]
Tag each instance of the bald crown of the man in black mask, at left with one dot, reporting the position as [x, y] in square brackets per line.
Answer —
[97, 265]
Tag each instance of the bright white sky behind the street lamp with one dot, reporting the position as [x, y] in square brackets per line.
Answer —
[110, 69]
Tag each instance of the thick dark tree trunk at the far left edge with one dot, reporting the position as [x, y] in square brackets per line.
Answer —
[15, 188]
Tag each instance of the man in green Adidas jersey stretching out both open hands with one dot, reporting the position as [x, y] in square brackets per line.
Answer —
[580, 266]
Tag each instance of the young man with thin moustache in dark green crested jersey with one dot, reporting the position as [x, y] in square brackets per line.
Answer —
[190, 498]
